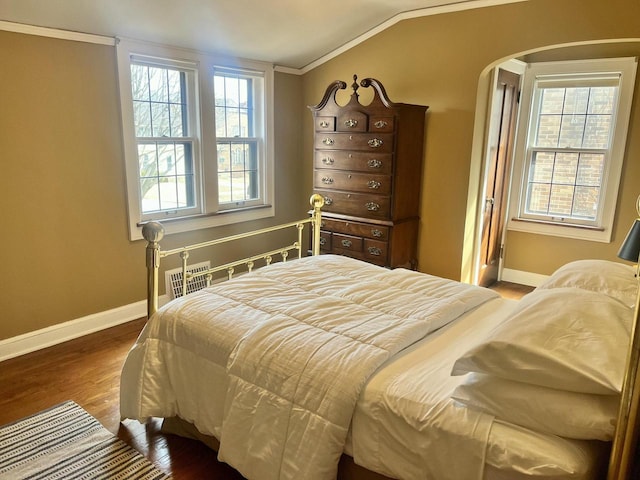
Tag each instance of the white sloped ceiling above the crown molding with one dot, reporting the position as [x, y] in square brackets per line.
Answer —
[287, 33]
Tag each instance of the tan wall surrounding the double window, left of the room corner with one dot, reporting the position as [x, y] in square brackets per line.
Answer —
[65, 250]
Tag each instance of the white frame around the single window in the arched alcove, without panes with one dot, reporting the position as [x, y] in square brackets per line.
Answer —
[601, 230]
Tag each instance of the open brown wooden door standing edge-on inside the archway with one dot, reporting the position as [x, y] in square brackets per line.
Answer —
[504, 112]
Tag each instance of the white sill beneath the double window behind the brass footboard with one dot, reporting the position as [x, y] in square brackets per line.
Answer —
[199, 222]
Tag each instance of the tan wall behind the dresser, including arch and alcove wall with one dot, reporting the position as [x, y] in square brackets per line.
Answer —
[438, 61]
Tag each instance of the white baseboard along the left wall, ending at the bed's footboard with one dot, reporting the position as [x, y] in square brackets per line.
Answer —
[55, 334]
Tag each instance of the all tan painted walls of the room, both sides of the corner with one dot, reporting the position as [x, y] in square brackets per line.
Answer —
[62, 165]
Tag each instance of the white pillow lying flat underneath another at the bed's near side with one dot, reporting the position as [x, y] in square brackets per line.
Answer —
[546, 410]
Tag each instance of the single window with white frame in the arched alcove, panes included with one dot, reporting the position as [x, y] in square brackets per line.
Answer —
[570, 149]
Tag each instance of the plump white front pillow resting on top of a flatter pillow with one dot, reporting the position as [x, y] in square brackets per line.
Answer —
[564, 338]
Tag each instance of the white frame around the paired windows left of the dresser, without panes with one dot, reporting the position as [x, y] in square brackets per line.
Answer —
[208, 213]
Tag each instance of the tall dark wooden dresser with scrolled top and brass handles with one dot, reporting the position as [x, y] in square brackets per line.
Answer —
[367, 166]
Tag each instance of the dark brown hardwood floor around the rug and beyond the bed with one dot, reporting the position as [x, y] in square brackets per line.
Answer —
[87, 371]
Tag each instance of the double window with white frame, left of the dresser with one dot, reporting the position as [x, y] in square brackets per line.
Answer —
[197, 138]
